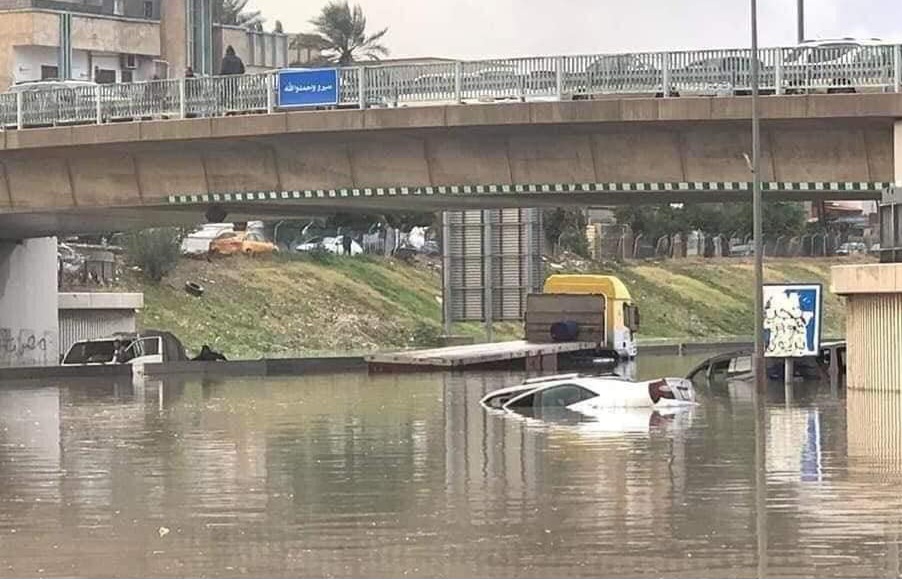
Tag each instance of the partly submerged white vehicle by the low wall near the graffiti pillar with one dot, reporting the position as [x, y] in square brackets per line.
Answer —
[127, 348]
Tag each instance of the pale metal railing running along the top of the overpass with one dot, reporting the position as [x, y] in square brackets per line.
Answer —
[840, 67]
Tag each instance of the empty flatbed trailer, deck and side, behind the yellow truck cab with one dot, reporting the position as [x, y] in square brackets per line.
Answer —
[500, 354]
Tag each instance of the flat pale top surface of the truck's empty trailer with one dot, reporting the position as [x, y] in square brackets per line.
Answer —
[459, 356]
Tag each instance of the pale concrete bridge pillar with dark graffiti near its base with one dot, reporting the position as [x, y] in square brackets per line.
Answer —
[29, 325]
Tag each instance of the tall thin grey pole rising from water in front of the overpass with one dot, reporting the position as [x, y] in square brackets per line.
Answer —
[758, 358]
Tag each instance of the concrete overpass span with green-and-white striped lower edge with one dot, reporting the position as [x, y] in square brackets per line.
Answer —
[78, 179]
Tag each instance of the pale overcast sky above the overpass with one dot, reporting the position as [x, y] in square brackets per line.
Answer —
[471, 29]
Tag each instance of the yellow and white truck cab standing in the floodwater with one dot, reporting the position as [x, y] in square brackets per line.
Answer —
[621, 315]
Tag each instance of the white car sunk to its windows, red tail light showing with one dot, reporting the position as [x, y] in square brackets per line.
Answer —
[590, 395]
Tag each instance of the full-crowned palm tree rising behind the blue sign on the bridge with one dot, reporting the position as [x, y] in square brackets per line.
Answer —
[343, 34]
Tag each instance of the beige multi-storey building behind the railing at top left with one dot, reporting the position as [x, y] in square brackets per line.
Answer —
[109, 41]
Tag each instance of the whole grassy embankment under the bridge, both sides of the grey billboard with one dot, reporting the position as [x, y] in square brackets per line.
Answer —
[309, 305]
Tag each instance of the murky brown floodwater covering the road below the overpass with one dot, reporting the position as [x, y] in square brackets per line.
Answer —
[406, 475]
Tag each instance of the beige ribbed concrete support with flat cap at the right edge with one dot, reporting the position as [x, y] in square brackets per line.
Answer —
[873, 295]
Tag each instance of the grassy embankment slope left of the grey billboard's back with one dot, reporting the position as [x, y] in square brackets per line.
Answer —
[298, 306]
